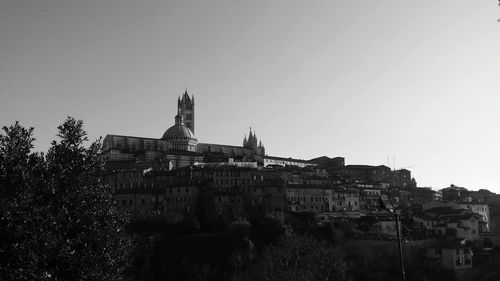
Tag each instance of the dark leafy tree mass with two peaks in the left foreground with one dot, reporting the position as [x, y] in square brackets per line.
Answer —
[62, 223]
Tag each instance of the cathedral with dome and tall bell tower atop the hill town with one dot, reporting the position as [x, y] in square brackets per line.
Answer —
[178, 146]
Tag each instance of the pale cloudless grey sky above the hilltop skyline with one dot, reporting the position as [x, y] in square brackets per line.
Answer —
[408, 84]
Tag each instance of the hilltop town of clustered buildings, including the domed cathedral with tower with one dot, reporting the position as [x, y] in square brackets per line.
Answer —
[176, 177]
